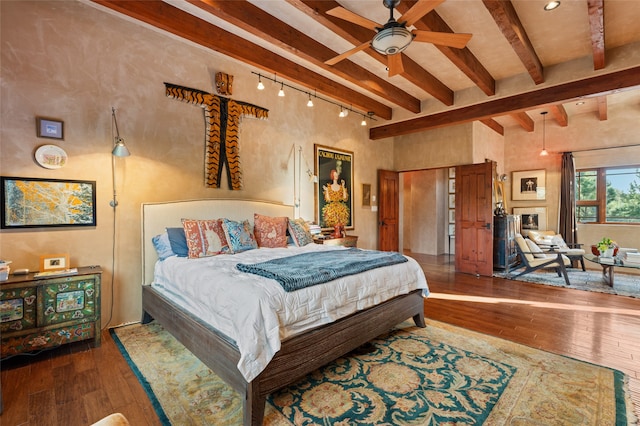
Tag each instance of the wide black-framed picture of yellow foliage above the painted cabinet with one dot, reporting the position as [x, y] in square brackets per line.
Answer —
[37, 203]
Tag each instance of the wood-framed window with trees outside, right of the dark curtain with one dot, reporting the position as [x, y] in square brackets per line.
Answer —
[608, 195]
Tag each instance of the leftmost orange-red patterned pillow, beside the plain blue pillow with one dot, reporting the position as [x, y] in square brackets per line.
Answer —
[204, 237]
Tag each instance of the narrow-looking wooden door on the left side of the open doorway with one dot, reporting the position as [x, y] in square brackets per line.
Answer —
[388, 210]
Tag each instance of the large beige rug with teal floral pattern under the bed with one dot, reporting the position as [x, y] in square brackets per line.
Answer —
[436, 375]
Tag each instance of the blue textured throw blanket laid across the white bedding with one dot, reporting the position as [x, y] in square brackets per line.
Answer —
[307, 269]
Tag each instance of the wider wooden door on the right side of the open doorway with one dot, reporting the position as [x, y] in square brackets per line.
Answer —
[474, 219]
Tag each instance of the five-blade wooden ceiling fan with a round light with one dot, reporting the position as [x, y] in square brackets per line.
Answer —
[394, 37]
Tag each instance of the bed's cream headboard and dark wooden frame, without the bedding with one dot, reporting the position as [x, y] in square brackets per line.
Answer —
[299, 353]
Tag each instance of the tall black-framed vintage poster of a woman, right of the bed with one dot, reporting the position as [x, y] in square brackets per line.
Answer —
[334, 196]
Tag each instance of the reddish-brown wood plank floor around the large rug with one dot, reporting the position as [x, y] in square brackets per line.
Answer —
[77, 385]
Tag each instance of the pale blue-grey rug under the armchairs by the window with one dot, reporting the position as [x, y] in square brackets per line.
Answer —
[589, 280]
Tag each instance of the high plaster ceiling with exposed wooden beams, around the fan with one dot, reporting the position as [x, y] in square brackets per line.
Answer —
[577, 59]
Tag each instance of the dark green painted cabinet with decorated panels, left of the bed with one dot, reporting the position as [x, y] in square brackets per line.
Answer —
[38, 314]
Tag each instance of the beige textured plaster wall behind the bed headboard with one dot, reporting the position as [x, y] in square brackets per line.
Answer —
[74, 61]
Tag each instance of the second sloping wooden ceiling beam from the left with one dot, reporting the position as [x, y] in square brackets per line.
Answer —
[259, 23]
